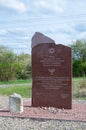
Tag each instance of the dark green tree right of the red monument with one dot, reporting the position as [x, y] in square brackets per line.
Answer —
[79, 57]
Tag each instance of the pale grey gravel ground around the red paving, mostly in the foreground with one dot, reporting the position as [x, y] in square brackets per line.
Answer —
[7, 123]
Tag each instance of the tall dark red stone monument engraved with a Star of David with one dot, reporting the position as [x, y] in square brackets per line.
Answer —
[51, 73]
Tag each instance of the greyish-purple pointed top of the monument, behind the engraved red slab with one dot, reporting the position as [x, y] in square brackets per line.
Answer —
[39, 38]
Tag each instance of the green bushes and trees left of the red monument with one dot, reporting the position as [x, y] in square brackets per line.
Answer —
[13, 66]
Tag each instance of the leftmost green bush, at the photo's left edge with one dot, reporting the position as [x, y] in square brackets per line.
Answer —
[8, 64]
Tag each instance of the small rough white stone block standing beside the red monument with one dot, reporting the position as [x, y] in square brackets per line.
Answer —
[16, 103]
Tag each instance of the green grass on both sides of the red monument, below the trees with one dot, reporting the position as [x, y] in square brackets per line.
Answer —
[78, 88]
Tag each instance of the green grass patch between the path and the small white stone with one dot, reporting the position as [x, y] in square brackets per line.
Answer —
[24, 91]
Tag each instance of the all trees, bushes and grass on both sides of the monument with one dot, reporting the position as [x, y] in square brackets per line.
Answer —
[16, 69]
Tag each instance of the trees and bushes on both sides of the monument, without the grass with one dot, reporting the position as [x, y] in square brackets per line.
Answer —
[13, 66]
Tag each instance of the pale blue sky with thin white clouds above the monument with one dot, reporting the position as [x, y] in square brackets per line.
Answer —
[62, 20]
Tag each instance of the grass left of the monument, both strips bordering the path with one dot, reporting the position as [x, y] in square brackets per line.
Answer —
[24, 90]
